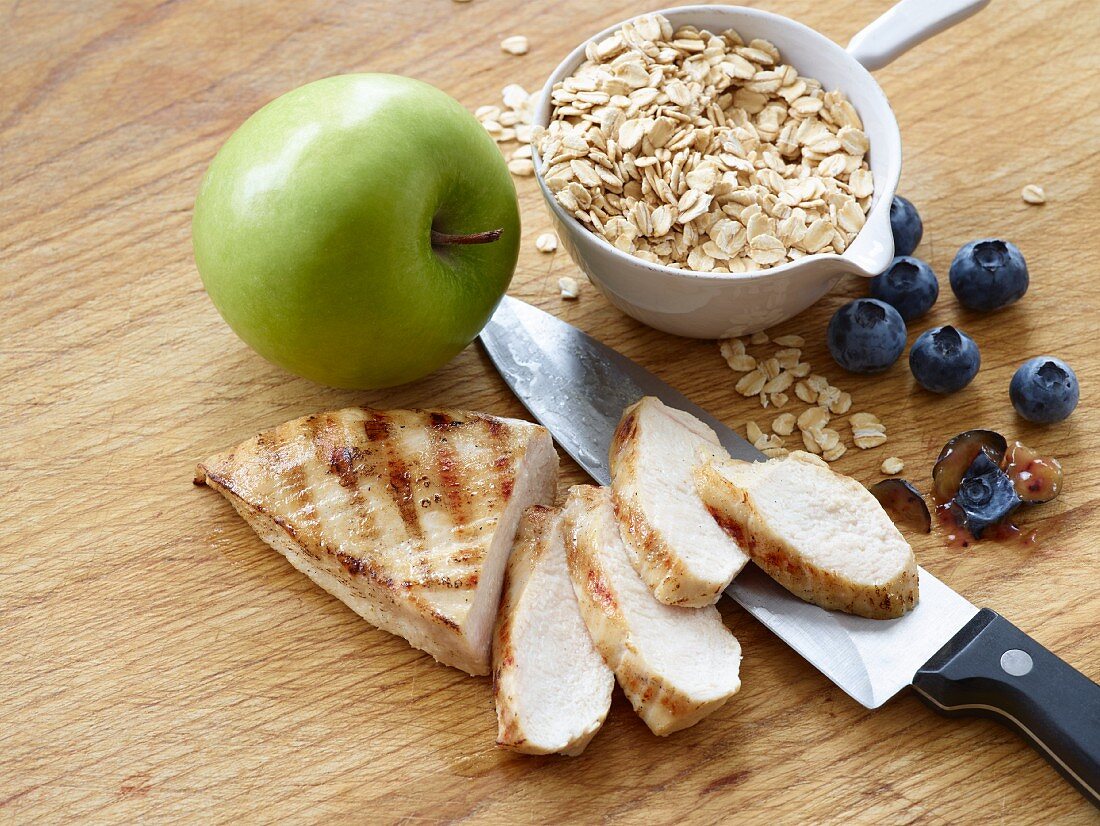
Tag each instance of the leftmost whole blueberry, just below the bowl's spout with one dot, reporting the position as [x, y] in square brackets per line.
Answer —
[866, 336]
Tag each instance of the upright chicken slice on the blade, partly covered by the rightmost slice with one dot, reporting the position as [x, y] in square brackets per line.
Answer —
[680, 552]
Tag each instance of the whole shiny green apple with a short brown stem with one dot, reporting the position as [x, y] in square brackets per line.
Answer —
[359, 230]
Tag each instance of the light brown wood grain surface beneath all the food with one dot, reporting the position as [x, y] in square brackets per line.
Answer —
[160, 664]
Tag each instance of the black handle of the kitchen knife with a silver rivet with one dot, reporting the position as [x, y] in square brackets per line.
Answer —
[993, 669]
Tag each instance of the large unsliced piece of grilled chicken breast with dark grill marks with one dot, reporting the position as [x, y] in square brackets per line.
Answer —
[408, 516]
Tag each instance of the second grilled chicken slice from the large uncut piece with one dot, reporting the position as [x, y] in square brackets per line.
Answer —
[676, 665]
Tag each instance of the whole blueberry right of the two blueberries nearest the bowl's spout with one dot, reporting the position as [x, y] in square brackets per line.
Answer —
[989, 274]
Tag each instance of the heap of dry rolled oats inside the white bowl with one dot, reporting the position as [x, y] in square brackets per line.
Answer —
[702, 152]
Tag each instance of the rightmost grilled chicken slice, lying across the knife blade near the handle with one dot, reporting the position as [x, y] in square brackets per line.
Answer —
[819, 534]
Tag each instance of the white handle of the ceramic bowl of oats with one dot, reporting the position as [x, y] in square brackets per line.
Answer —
[907, 25]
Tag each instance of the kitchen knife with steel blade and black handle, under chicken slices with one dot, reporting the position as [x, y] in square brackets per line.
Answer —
[960, 659]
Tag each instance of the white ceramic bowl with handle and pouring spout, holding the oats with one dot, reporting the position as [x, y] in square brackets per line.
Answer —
[708, 305]
